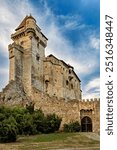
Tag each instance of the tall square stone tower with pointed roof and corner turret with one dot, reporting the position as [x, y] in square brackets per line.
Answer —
[26, 55]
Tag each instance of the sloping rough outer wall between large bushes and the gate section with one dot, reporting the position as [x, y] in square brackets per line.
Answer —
[68, 111]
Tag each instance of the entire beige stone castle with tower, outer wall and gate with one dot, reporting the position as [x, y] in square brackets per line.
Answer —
[48, 82]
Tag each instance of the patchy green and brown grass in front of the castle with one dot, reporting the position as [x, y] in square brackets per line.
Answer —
[53, 141]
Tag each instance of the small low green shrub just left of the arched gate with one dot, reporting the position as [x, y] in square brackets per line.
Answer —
[72, 127]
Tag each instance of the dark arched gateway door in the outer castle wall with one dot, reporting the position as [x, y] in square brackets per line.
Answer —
[86, 124]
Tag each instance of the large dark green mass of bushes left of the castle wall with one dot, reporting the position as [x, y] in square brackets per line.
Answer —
[25, 121]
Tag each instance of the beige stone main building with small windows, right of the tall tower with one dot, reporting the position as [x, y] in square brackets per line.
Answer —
[60, 79]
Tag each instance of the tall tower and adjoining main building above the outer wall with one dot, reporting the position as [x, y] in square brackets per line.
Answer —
[29, 66]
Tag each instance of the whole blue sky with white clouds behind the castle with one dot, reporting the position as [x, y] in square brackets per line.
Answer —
[73, 29]
